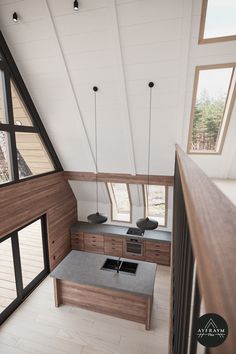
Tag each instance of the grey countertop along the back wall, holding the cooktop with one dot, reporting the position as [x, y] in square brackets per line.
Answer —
[115, 230]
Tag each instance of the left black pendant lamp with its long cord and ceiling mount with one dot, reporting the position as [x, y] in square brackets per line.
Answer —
[96, 218]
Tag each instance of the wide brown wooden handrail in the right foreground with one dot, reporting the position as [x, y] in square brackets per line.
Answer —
[212, 224]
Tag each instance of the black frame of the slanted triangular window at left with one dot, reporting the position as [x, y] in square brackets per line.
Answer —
[11, 73]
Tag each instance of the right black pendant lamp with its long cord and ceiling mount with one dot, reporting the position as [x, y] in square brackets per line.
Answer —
[146, 223]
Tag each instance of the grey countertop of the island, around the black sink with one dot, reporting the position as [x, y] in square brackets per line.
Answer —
[85, 268]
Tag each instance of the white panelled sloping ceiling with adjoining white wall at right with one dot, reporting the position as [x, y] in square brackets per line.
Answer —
[119, 46]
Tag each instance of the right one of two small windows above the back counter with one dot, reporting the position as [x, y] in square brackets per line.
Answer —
[155, 197]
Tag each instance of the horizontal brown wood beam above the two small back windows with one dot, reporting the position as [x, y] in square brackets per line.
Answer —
[118, 178]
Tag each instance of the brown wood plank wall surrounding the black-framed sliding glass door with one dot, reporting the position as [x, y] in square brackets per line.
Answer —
[51, 195]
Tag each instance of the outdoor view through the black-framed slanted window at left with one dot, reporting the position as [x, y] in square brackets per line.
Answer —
[31, 157]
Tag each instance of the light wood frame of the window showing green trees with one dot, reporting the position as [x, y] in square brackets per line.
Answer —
[225, 119]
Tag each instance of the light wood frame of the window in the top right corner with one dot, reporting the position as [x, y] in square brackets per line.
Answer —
[201, 39]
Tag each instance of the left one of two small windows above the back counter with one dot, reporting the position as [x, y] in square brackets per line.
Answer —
[120, 201]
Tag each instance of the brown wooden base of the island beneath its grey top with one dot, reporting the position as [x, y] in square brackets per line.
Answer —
[120, 304]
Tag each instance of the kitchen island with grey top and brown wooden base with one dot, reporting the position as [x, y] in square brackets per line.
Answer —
[80, 280]
